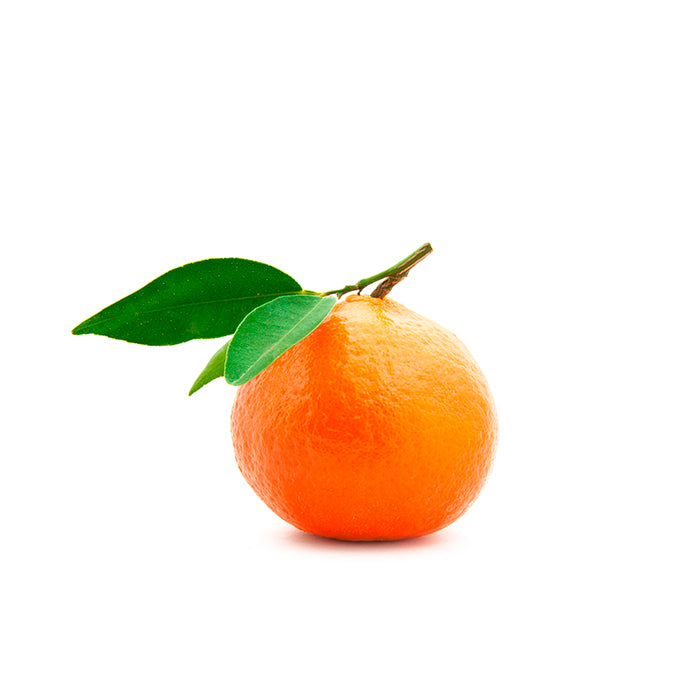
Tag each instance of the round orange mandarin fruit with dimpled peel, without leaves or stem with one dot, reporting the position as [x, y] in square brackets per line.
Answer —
[379, 425]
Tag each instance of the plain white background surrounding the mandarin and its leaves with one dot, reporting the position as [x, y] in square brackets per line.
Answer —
[548, 150]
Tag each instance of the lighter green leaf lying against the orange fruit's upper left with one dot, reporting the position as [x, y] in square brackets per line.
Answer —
[271, 329]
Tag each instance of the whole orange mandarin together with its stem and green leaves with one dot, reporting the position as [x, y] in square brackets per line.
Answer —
[355, 418]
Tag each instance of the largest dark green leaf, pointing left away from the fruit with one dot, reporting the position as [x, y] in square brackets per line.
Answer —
[205, 299]
